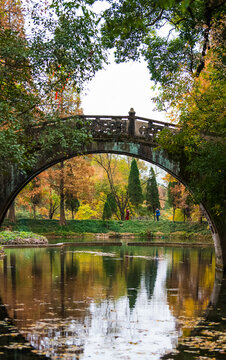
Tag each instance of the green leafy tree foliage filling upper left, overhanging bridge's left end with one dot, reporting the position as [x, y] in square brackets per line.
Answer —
[64, 43]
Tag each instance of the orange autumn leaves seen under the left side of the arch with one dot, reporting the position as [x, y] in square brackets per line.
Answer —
[42, 193]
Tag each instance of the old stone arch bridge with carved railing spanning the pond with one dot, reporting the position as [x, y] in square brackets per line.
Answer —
[126, 135]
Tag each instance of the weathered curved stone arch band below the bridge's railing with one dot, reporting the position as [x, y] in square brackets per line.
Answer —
[148, 152]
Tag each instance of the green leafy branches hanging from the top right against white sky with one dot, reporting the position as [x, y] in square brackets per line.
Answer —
[173, 36]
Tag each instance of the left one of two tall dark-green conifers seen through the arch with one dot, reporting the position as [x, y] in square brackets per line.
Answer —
[134, 186]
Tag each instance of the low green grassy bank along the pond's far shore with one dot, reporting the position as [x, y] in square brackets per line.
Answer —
[146, 228]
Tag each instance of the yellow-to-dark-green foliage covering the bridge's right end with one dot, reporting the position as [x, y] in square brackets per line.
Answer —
[200, 144]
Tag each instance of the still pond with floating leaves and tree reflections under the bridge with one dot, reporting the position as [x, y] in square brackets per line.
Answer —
[102, 302]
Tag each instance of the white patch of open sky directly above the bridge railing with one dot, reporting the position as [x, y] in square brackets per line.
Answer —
[119, 87]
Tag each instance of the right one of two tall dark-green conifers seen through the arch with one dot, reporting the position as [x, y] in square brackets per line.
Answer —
[152, 193]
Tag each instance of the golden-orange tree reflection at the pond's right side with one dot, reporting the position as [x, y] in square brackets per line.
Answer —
[190, 282]
